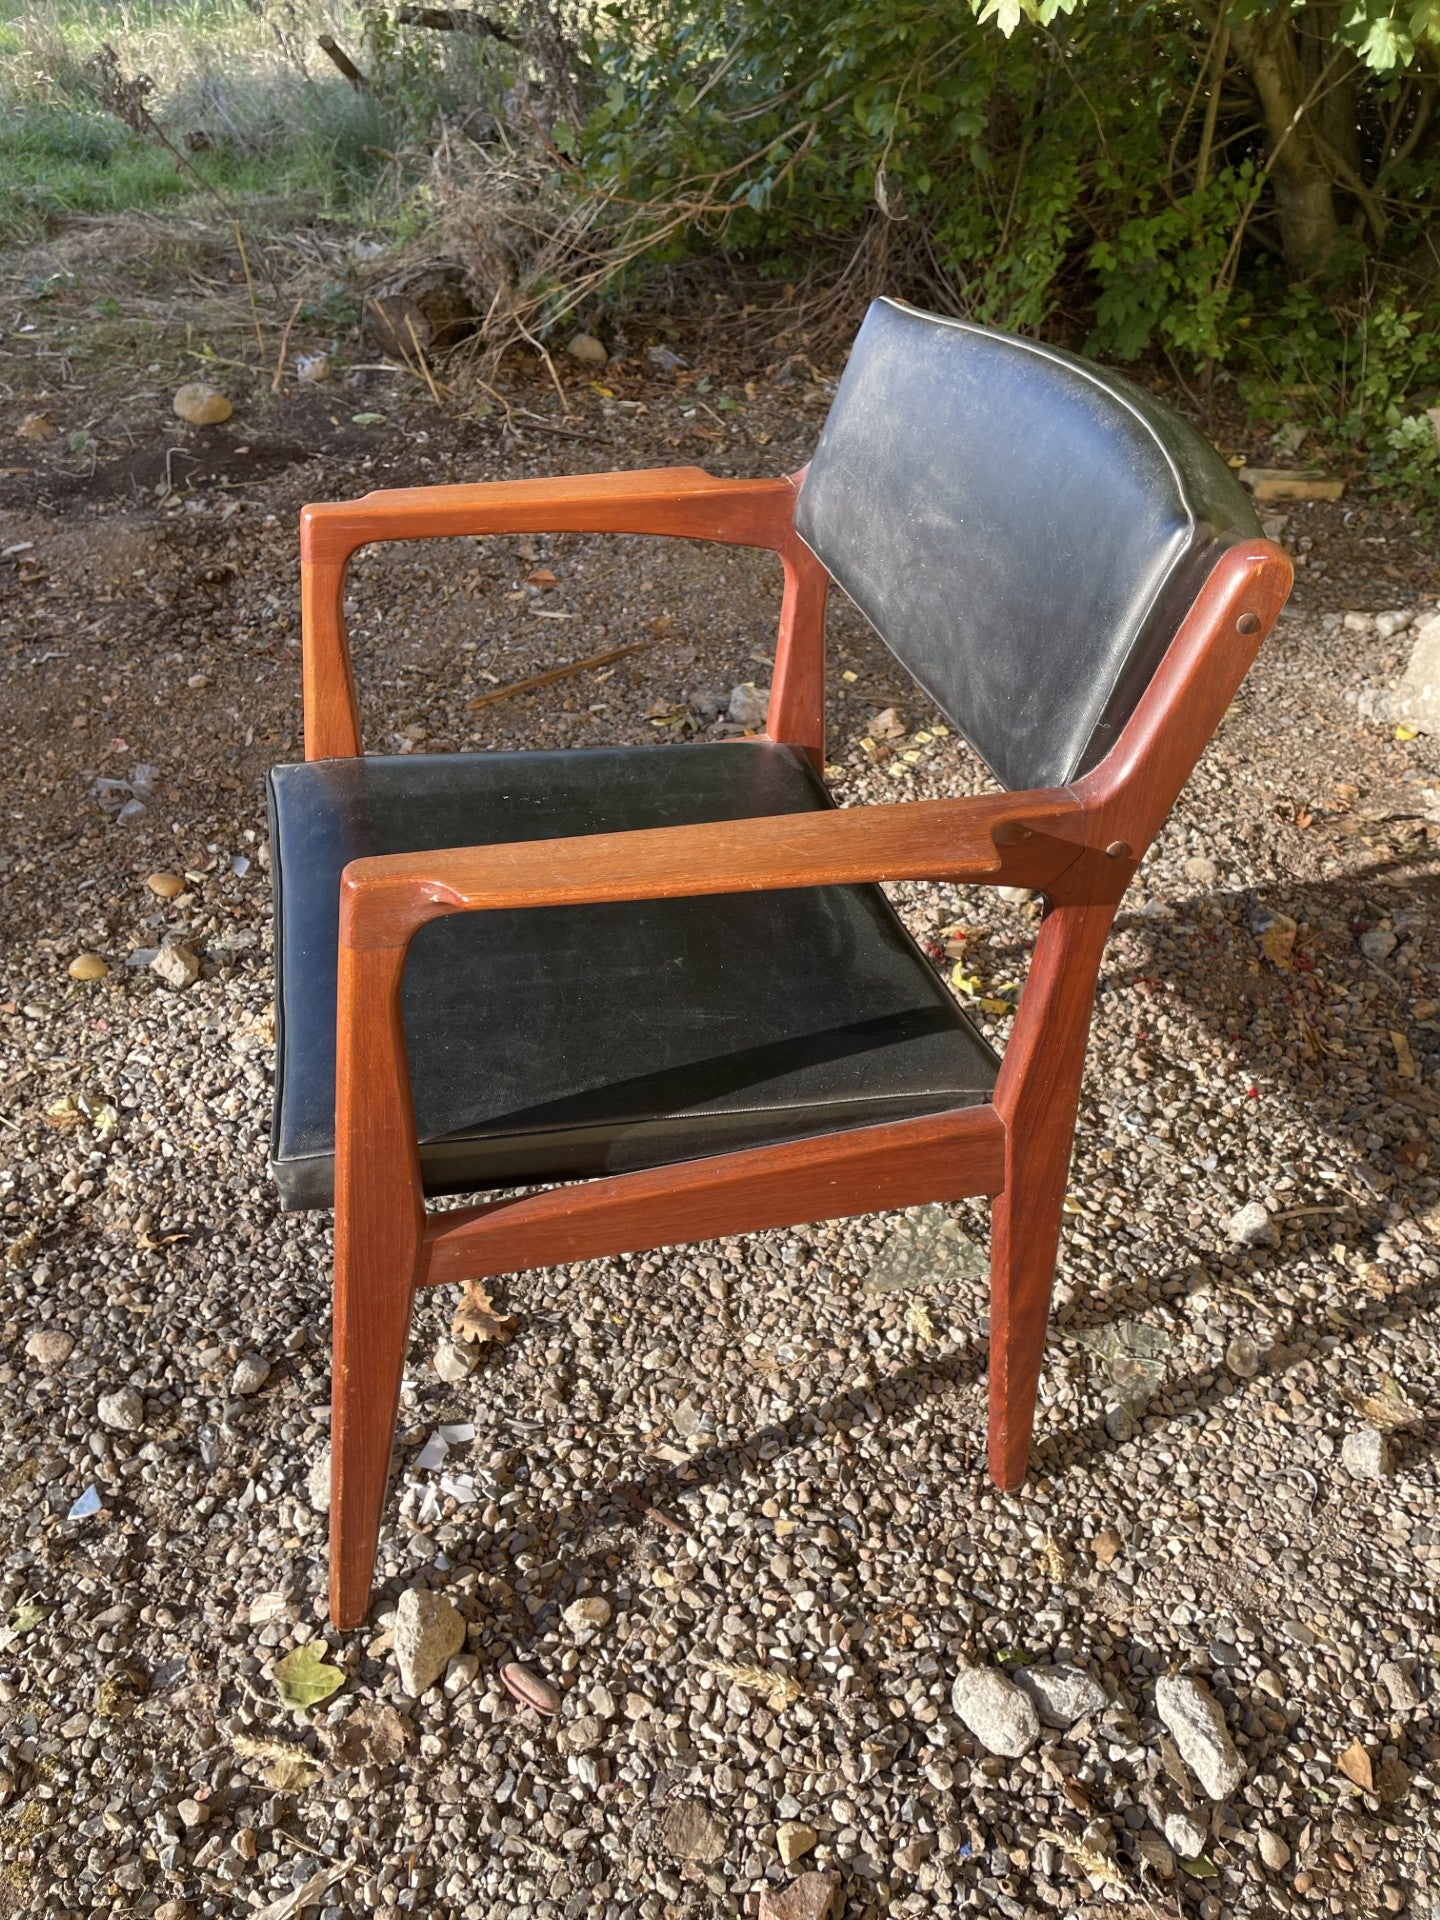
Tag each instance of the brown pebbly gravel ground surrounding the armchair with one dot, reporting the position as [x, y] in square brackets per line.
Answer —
[765, 1456]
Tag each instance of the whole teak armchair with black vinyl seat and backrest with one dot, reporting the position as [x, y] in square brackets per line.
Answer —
[667, 976]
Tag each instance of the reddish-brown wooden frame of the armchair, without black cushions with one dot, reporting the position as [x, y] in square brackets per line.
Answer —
[1078, 846]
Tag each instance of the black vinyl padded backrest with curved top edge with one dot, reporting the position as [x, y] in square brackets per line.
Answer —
[1022, 529]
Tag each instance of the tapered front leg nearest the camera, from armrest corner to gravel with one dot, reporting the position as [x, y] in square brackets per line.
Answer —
[379, 1237]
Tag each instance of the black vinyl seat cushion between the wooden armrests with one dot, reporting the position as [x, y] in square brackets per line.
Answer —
[575, 1042]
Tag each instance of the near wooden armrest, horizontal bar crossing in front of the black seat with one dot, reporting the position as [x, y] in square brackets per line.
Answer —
[1019, 840]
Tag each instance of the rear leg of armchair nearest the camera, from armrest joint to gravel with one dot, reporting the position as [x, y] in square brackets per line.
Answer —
[1038, 1095]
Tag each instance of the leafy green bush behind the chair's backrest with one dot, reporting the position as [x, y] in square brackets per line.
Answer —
[1109, 178]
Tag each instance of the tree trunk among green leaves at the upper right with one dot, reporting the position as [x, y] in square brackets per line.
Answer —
[1301, 172]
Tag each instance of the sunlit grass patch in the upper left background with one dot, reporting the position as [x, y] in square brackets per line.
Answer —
[241, 87]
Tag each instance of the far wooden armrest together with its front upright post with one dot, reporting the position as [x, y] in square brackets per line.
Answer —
[683, 502]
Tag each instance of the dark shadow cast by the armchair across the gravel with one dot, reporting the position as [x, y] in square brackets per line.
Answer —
[1330, 917]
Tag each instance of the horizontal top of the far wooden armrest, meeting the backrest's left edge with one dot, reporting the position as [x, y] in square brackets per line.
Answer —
[660, 500]
